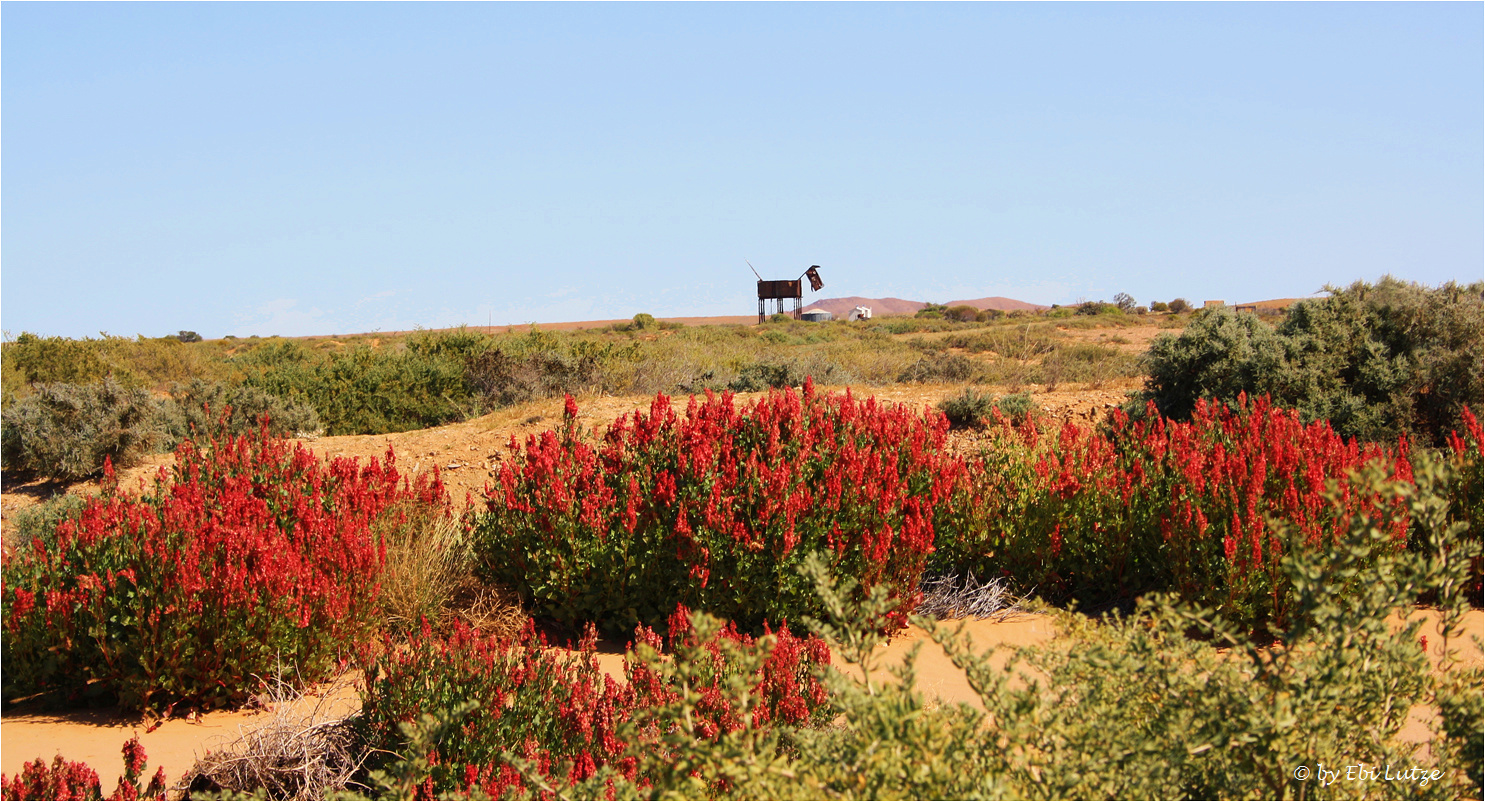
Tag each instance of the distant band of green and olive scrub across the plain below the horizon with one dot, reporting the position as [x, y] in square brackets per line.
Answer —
[71, 403]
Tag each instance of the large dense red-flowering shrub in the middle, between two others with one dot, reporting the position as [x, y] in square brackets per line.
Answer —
[715, 510]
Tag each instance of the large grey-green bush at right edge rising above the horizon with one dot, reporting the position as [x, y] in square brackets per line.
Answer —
[1377, 362]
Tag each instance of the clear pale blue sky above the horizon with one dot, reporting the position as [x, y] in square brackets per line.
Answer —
[301, 169]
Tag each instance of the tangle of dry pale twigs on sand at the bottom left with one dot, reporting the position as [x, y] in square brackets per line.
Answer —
[296, 755]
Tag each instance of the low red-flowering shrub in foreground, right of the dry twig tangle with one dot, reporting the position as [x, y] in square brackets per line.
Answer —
[558, 709]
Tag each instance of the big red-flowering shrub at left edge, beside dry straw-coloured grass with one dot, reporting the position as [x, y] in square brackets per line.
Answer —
[249, 555]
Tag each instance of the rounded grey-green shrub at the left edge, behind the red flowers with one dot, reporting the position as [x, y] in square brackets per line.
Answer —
[68, 431]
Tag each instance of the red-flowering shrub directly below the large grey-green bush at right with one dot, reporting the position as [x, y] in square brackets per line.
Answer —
[1168, 506]
